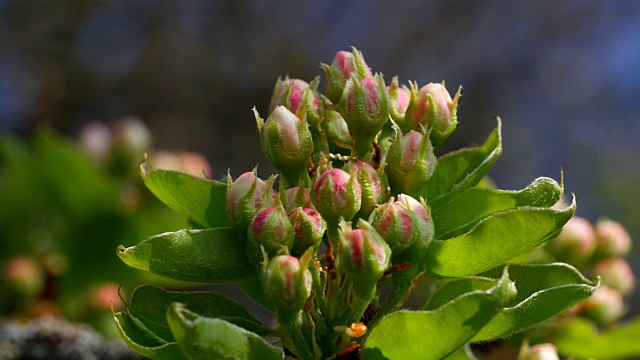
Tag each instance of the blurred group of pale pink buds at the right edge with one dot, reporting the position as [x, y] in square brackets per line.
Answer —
[598, 250]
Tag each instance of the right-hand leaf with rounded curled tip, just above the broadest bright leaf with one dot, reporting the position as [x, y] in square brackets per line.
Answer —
[472, 205]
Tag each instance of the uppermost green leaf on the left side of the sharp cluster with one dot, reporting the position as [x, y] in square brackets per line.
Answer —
[200, 200]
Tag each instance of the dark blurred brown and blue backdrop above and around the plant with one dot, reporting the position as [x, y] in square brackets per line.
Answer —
[563, 76]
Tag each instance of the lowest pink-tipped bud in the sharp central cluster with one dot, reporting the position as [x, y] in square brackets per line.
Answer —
[287, 283]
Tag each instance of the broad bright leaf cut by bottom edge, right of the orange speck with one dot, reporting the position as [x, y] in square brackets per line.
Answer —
[436, 334]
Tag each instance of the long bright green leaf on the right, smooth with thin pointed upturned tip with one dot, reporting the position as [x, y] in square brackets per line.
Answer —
[495, 240]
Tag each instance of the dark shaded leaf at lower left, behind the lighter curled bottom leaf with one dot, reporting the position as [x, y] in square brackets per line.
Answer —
[150, 303]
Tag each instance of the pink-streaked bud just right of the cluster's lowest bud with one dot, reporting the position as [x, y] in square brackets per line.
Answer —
[364, 256]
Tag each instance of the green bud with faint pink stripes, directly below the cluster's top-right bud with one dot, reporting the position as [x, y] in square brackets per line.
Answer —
[410, 162]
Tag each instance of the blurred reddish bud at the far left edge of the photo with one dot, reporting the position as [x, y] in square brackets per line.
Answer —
[24, 278]
